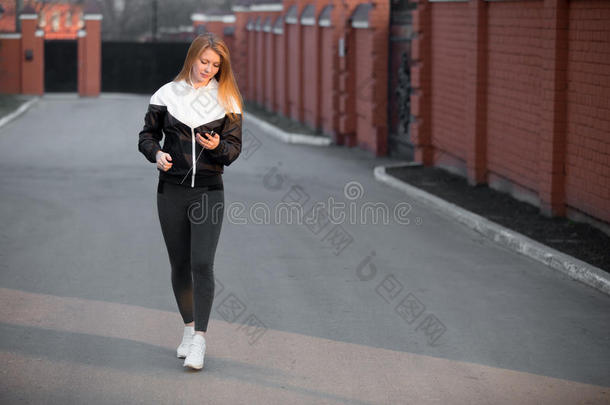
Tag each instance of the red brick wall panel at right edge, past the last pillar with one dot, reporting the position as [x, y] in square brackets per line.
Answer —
[588, 108]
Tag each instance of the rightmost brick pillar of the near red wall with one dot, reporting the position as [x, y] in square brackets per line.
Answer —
[552, 134]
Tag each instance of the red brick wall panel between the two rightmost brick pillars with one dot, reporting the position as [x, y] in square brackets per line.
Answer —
[514, 90]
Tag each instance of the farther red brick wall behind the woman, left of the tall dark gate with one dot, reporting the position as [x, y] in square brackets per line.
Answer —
[300, 75]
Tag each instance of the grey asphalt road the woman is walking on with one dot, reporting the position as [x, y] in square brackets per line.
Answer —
[330, 312]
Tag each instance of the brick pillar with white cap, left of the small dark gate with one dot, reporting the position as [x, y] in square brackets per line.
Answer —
[32, 55]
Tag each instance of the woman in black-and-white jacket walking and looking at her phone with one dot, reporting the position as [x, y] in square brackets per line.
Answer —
[200, 113]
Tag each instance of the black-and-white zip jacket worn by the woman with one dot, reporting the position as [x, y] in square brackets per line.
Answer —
[179, 111]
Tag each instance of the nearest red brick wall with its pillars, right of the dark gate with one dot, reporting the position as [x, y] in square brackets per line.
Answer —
[515, 94]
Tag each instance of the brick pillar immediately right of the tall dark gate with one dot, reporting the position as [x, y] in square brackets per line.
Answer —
[421, 127]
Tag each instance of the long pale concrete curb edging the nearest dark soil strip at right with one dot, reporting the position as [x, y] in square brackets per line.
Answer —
[571, 266]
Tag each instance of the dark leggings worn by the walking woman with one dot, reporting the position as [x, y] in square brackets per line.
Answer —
[191, 219]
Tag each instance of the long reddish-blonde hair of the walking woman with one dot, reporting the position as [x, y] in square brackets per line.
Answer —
[227, 86]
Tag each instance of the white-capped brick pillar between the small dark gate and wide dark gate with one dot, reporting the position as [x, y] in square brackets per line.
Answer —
[90, 57]
